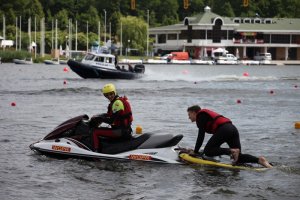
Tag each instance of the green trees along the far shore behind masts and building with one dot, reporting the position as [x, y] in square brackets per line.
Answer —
[113, 12]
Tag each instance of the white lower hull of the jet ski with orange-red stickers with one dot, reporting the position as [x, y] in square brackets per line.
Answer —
[67, 148]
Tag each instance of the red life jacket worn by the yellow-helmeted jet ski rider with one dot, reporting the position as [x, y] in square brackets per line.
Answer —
[125, 119]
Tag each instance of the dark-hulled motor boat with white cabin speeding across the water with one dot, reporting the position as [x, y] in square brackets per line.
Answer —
[103, 65]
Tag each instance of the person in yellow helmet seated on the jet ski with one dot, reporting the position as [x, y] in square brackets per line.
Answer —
[118, 116]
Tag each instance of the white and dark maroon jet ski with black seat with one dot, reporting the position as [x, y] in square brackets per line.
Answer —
[72, 138]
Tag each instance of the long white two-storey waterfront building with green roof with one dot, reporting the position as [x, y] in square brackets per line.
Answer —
[247, 37]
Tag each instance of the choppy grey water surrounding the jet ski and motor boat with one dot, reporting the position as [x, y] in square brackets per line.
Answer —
[159, 101]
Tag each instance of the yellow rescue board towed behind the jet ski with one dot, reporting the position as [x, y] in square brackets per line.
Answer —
[200, 161]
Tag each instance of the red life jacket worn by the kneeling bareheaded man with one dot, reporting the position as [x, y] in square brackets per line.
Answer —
[211, 126]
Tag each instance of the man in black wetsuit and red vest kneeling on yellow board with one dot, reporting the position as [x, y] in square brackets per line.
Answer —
[223, 131]
